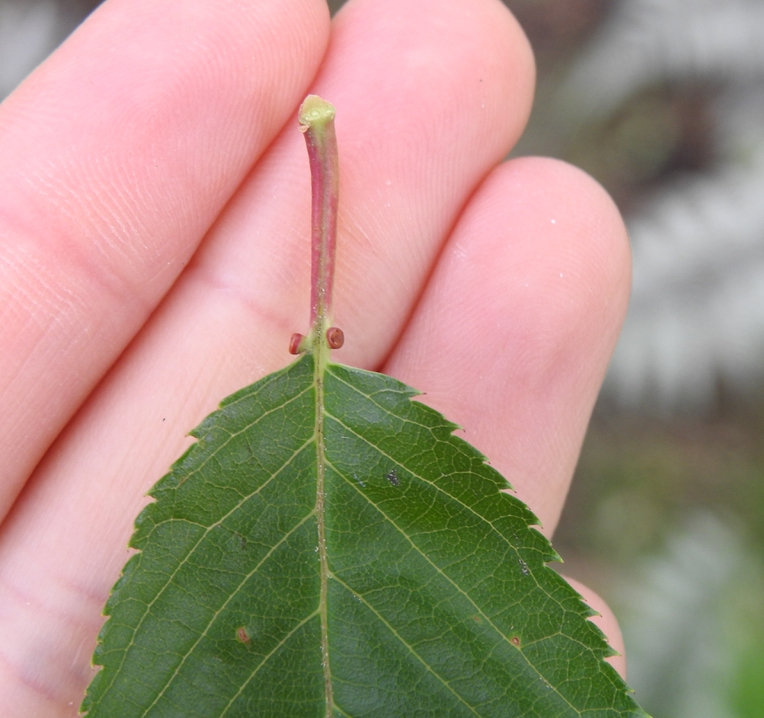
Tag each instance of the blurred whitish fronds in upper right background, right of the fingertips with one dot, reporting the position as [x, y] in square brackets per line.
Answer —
[697, 310]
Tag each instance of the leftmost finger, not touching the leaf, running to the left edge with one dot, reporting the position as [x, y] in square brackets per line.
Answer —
[118, 153]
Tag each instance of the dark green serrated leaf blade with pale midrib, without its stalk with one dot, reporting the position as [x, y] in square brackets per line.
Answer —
[328, 547]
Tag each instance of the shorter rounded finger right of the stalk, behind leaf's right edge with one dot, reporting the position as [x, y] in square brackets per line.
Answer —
[513, 335]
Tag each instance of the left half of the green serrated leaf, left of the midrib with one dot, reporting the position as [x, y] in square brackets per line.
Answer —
[242, 542]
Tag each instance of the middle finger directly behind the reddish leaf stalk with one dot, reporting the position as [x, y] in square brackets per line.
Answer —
[229, 317]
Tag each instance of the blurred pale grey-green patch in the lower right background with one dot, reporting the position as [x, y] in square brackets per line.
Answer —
[679, 656]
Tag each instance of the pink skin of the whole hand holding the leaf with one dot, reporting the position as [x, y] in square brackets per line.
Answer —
[154, 257]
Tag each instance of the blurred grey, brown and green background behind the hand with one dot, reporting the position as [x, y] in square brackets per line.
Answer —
[662, 101]
